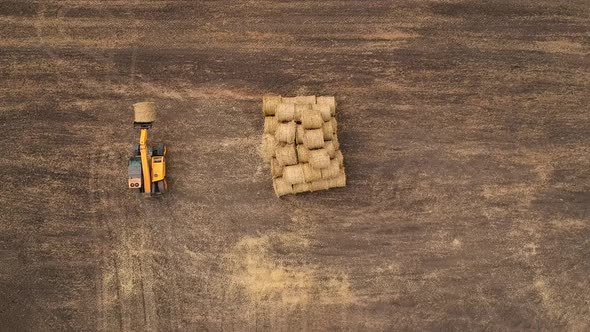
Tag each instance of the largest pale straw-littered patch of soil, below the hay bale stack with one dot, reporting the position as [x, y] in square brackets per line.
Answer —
[265, 279]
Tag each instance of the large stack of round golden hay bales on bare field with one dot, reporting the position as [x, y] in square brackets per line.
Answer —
[300, 143]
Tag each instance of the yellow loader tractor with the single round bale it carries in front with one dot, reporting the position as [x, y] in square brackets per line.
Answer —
[147, 167]
